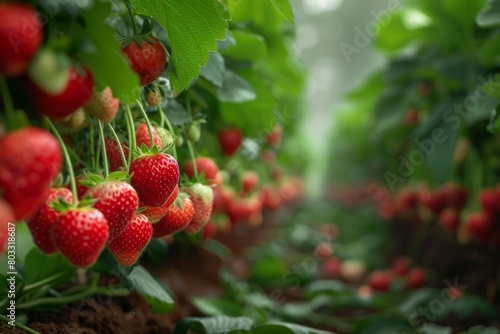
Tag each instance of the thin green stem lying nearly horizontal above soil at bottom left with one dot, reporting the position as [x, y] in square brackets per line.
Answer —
[49, 301]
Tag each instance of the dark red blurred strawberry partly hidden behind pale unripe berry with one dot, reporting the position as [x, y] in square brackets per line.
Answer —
[76, 94]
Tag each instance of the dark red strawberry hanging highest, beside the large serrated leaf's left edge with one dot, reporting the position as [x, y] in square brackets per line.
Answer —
[147, 57]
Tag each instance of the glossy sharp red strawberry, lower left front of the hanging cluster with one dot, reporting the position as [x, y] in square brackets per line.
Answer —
[80, 235]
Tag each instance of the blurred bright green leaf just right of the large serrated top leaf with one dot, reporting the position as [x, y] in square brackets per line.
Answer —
[249, 46]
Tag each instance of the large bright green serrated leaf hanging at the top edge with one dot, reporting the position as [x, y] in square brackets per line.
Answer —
[193, 28]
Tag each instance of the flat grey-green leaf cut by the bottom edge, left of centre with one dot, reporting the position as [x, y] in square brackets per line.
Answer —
[212, 325]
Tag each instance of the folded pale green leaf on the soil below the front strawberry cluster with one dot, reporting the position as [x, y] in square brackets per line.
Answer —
[141, 281]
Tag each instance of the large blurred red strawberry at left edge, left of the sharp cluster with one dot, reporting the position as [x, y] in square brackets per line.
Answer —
[30, 160]
